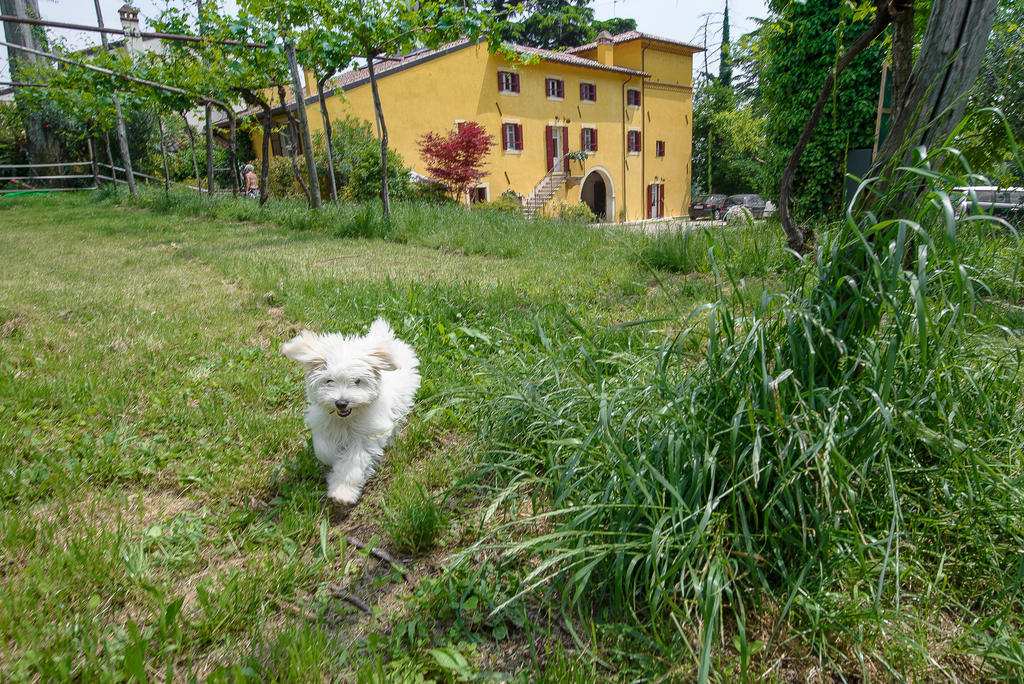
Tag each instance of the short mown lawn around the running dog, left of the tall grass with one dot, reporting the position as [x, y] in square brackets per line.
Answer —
[162, 508]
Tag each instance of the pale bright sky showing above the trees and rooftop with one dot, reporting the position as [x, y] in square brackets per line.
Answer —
[677, 20]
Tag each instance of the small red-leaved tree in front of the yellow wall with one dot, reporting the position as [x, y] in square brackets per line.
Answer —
[456, 158]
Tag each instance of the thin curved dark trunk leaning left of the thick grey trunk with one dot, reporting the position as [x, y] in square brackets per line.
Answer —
[797, 237]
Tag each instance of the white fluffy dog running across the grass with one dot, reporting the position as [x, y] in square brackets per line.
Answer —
[360, 391]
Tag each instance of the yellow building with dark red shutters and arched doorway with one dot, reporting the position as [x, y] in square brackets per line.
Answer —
[625, 100]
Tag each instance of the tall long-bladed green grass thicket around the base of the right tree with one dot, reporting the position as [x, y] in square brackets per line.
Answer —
[845, 462]
